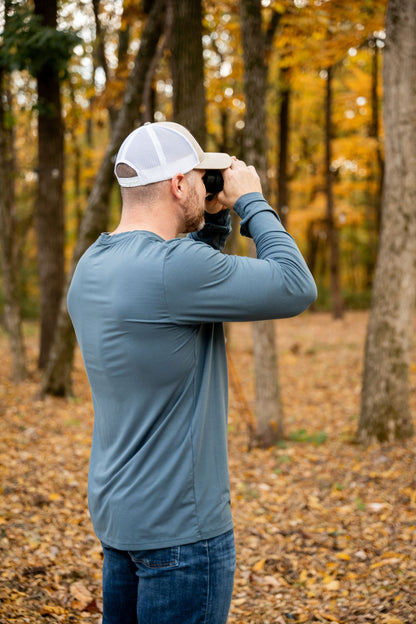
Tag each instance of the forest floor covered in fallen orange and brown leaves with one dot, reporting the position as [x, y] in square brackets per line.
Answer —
[325, 529]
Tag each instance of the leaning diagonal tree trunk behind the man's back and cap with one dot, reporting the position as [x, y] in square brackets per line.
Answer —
[57, 379]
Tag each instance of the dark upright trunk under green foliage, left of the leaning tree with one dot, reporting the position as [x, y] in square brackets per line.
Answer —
[49, 214]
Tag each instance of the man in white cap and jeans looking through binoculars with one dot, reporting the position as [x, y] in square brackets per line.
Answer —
[148, 308]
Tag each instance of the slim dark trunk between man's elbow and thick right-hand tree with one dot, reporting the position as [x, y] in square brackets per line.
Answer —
[332, 230]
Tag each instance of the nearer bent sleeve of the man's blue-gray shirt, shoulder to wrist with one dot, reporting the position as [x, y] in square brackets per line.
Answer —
[204, 285]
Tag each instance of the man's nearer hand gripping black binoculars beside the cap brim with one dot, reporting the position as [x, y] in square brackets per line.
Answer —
[239, 179]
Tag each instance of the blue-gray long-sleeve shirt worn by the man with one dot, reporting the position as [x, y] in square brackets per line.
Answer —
[148, 317]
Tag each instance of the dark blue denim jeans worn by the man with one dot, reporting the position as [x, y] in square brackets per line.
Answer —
[189, 584]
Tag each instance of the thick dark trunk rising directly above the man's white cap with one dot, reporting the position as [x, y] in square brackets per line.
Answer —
[187, 63]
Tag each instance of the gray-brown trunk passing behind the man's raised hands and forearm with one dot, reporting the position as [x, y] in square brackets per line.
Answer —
[269, 419]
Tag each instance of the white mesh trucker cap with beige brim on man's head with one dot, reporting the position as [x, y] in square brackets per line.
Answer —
[158, 151]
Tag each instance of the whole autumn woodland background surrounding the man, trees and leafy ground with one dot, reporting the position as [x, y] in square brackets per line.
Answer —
[320, 96]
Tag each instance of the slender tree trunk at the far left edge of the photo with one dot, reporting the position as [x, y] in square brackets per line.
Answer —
[9, 264]
